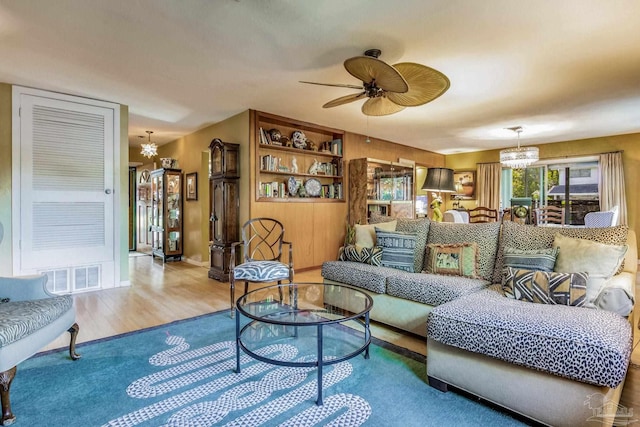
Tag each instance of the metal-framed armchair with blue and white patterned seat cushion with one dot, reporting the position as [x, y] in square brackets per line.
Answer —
[261, 246]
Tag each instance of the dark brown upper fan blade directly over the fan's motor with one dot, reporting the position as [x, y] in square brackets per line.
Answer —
[368, 69]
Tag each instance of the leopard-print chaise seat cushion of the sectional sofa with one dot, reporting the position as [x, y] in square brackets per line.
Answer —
[591, 346]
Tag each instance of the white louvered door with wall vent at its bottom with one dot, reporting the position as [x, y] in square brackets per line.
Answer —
[65, 190]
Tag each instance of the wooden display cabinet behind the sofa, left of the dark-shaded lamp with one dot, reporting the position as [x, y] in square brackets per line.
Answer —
[382, 187]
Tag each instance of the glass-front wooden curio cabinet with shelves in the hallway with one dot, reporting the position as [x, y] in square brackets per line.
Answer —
[166, 214]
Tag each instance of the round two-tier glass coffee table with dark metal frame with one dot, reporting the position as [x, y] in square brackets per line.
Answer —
[294, 314]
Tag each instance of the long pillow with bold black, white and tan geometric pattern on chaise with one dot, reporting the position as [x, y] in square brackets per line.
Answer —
[546, 287]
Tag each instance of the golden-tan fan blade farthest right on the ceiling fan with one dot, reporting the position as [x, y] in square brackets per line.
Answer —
[425, 84]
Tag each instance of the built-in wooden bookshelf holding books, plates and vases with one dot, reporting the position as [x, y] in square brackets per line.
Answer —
[297, 161]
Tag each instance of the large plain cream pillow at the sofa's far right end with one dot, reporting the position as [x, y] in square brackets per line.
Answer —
[600, 260]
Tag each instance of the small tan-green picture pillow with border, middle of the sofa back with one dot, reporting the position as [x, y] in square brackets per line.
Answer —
[458, 259]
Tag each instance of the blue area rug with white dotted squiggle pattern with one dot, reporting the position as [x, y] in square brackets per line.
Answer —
[182, 374]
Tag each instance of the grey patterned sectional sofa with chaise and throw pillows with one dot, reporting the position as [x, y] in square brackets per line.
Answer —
[553, 363]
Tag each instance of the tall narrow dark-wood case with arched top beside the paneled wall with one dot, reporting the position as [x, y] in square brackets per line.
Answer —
[225, 206]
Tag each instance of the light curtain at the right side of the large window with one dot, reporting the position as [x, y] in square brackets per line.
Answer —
[611, 185]
